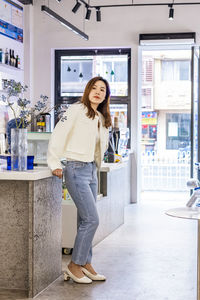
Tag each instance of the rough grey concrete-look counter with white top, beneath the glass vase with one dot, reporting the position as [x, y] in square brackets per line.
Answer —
[30, 230]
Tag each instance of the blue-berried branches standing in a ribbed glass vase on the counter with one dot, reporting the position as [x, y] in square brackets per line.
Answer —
[23, 114]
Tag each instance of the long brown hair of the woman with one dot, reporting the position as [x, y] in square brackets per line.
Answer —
[103, 106]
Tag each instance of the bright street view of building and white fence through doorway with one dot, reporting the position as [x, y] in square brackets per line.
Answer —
[166, 119]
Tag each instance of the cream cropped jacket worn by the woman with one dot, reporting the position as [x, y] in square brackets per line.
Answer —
[75, 138]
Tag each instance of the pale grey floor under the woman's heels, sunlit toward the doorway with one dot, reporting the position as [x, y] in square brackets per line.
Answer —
[151, 257]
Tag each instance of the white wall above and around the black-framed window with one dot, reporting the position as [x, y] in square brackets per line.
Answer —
[120, 27]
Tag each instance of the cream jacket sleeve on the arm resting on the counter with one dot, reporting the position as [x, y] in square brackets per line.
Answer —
[59, 137]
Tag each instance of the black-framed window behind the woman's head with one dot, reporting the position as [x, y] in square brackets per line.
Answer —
[75, 67]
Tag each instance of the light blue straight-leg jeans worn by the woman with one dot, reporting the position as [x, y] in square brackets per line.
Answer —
[81, 182]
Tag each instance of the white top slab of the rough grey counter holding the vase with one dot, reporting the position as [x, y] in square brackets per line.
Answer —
[36, 174]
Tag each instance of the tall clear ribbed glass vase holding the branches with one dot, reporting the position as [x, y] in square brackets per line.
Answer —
[19, 149]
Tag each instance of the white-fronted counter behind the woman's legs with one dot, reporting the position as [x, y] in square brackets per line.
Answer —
[114, 195]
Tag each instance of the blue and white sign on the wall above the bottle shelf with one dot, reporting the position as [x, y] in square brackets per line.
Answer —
[11, 20]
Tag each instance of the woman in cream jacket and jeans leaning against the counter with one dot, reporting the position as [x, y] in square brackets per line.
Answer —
[82, 138]
